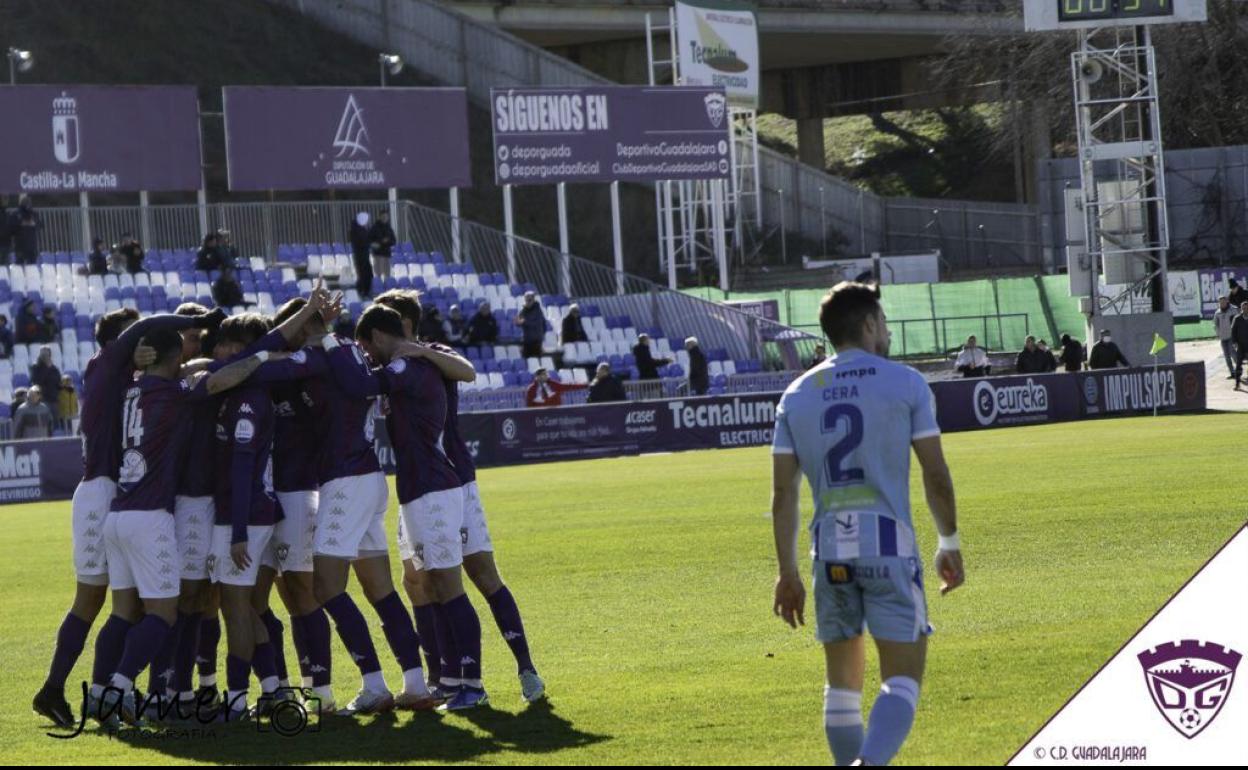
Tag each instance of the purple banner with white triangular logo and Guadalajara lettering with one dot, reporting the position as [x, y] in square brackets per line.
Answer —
[346, 139]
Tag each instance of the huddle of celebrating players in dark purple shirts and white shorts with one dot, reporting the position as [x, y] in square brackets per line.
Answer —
[228, 456]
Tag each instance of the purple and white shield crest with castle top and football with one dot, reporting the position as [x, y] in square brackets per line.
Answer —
[1189, 682]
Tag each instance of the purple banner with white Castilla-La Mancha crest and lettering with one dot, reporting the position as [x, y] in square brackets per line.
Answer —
[99, 139]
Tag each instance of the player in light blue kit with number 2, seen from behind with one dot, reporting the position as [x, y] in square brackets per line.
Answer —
[848, 425]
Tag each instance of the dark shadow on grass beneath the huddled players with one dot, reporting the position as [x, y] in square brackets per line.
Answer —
[384, 739]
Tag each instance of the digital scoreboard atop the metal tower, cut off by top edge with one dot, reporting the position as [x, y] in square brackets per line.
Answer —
[1044, 16]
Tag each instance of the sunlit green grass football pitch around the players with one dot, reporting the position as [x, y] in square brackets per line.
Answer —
[646, 586]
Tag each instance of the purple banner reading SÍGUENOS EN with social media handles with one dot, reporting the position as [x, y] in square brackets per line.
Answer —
[606, 134]
